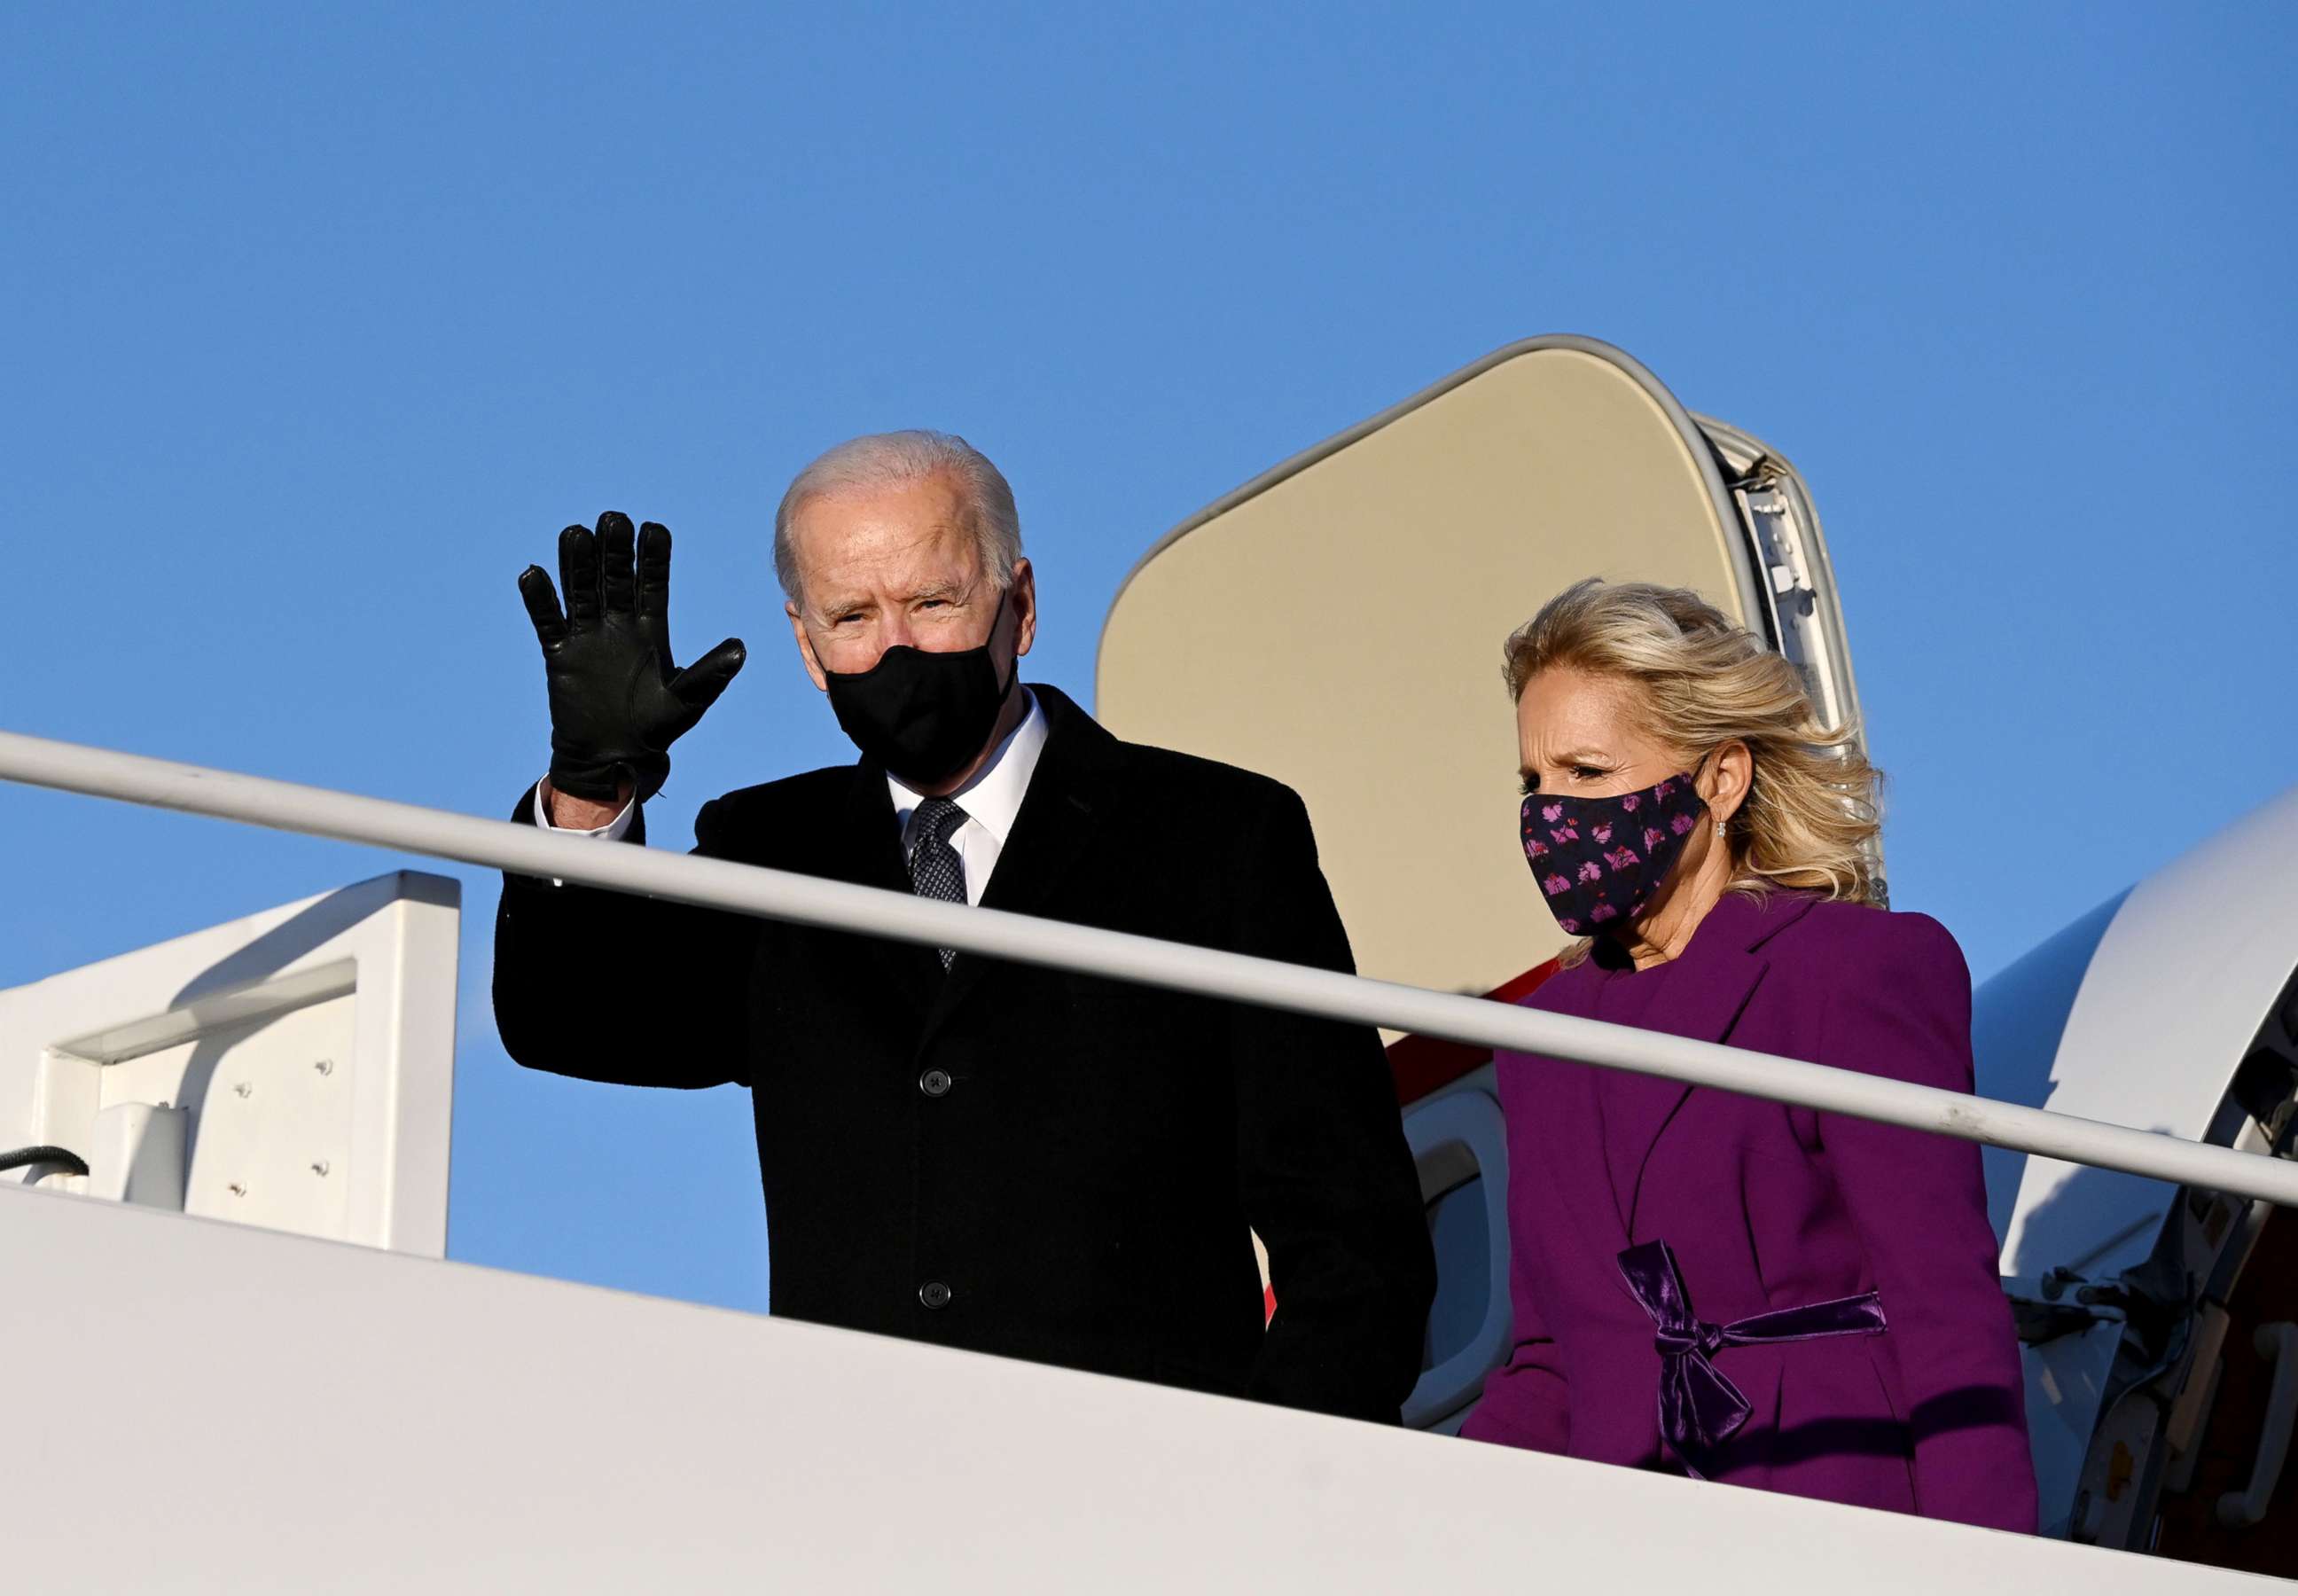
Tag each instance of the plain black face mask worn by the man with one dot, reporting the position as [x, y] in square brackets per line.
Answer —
[923, 714]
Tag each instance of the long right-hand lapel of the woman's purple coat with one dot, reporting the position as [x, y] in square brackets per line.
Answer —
[1704, 1002]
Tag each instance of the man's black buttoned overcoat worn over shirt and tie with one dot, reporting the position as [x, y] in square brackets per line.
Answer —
[1008, 1158]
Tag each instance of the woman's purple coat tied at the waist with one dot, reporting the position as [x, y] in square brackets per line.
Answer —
[1771, 1208]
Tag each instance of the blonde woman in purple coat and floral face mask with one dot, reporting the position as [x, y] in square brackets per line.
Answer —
[1704, 1282]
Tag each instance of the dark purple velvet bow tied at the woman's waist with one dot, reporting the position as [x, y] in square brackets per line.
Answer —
[1699, 1409]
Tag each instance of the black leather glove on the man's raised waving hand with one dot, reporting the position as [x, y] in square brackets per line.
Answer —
[617, 700]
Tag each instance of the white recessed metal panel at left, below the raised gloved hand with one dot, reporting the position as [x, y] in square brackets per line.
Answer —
[288, 1071]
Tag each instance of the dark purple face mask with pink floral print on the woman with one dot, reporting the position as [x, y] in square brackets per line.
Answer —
[1601, 861]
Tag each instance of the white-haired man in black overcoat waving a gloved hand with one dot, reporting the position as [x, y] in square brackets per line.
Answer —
[962, 1151]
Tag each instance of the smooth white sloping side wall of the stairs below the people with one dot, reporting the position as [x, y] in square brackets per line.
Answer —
[344, 1420]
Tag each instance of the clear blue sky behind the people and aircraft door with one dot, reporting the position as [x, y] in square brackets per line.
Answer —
[323, 321]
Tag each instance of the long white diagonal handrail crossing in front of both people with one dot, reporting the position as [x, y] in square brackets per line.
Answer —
[1118, 956]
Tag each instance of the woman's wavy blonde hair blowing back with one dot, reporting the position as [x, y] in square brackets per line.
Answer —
[1699, 682]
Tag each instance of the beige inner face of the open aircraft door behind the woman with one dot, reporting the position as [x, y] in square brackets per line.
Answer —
[1339, 624]
